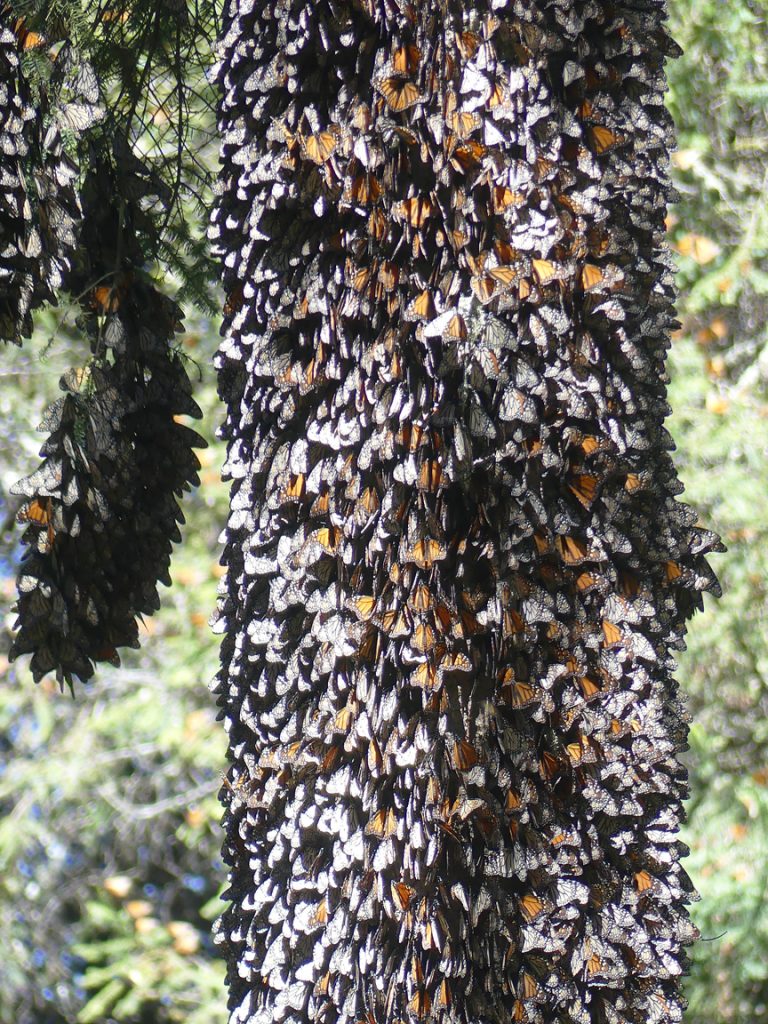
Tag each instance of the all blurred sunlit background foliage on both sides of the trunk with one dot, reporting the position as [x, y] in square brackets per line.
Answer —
[110, 869]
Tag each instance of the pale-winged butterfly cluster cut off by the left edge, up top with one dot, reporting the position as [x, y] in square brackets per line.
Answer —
[39, 207]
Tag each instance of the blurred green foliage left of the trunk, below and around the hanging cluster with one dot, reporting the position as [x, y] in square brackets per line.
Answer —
[110, 867]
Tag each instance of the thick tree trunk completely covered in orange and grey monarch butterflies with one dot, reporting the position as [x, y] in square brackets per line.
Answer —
[457, 570]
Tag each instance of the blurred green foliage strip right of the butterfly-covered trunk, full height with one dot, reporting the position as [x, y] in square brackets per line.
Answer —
[720, 371]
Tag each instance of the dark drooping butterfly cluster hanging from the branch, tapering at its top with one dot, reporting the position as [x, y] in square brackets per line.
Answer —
[102, 513]
